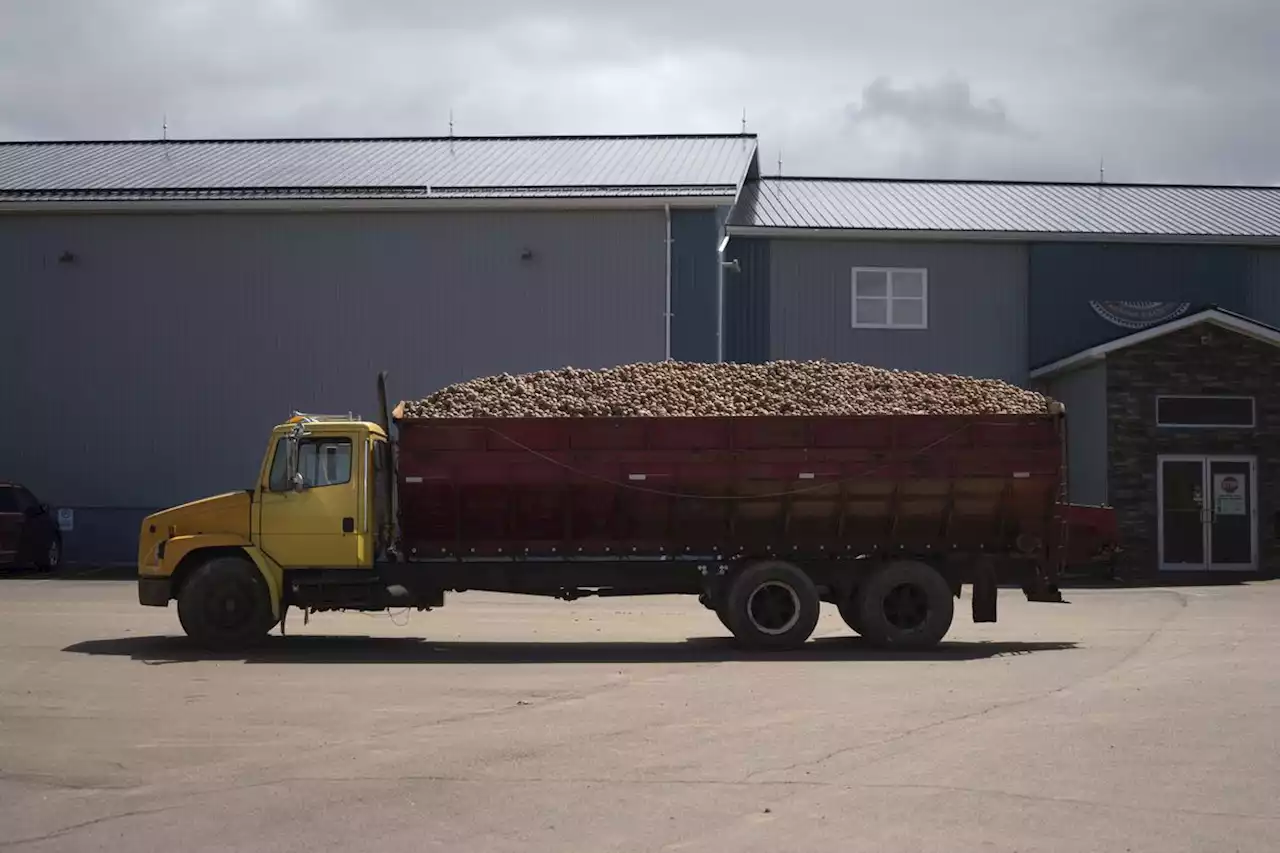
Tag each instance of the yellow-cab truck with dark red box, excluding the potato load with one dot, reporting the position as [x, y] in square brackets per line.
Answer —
[762, 518]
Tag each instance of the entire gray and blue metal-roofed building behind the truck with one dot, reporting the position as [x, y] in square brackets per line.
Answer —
[170, 302]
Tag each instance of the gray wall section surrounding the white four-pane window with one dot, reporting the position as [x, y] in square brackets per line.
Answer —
[977, 307]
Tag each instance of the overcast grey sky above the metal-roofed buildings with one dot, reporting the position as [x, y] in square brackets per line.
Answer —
[1163, 90]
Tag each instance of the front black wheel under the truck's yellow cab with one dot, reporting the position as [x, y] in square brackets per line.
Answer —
[226, 605]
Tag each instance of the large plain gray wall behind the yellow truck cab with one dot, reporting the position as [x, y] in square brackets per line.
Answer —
[147, 370]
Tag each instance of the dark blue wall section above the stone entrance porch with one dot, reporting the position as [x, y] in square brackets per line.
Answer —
[1066, 277]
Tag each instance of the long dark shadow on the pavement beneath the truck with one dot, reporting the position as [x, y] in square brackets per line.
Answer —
[413, 650]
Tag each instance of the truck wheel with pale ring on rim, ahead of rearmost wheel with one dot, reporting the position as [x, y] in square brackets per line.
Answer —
[772, 605]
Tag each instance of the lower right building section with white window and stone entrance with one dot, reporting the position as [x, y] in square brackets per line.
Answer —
[1031, 284]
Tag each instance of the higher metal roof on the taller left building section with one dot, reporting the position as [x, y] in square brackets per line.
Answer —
[473, 163]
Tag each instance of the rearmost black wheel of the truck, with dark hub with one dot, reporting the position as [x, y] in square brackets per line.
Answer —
[906, 605]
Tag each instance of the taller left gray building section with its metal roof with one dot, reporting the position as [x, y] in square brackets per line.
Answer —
[167, 303]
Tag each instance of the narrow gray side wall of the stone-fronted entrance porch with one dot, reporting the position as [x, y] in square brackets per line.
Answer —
[1085, 394]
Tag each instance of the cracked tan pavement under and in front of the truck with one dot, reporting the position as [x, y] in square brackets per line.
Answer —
[1130, 720]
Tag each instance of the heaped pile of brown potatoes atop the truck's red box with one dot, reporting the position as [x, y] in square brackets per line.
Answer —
[685, 390]
